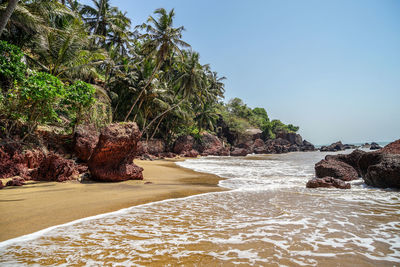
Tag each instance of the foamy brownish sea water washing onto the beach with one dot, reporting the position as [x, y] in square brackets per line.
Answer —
[268, 218]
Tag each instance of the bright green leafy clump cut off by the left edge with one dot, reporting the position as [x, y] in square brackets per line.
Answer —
[12, 69]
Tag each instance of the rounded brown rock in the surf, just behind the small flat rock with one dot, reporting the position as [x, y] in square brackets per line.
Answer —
[336, 169]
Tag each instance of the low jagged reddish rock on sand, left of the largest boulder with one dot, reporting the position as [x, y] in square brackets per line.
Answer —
[55, 168]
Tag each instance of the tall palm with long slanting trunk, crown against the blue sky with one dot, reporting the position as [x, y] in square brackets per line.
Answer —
[162, 39]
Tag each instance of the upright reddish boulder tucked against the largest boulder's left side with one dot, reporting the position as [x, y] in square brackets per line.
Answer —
[85, 140]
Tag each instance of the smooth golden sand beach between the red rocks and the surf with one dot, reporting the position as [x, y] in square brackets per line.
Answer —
[39, 205]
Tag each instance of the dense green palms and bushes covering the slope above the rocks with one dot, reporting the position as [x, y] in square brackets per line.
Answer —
[63, 63]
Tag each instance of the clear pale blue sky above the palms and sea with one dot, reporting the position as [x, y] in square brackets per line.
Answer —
[330, 67]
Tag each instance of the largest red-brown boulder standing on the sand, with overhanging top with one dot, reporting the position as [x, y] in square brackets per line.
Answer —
[112, 158]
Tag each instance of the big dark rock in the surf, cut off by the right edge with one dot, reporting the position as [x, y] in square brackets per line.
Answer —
[385, 173]
